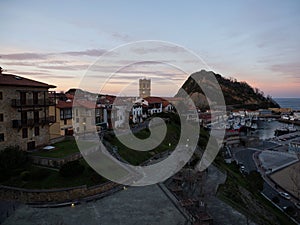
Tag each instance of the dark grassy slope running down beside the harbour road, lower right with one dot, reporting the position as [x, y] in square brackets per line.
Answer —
[254, 204]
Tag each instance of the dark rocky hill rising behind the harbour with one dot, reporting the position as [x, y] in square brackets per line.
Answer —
[236, 94]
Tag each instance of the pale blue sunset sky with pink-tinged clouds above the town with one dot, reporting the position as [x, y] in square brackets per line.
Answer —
[58, 42]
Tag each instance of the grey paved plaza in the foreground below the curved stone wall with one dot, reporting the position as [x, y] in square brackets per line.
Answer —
[147, 205]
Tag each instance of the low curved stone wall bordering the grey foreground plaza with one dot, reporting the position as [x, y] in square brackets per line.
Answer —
[32, 196]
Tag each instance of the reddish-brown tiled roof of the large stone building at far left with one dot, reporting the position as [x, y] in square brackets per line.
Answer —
[15, 80]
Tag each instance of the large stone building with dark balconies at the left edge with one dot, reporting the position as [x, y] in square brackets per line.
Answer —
[24, 113]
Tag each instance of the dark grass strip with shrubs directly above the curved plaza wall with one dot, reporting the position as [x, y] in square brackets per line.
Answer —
[43, 178]
